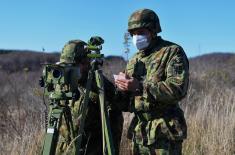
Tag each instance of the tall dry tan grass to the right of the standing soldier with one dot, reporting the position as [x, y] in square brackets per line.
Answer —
[211, 124]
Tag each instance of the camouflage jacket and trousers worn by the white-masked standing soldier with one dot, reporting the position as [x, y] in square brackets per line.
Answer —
[163, 70]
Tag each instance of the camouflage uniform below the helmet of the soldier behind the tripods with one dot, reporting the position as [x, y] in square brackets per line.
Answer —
[92, 138]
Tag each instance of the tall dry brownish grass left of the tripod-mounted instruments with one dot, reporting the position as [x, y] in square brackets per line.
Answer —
[21, 114]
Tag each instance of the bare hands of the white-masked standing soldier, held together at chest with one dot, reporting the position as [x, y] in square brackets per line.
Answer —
[127, 83]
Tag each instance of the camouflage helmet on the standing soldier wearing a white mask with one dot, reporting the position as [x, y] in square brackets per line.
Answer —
[144, 18]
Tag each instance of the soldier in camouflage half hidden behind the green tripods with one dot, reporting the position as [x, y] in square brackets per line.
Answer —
[74, 52]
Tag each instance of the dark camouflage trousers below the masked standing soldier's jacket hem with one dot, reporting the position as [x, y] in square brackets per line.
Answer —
[160, 147]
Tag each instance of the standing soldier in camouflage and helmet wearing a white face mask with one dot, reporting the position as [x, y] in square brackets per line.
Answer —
[156, 79]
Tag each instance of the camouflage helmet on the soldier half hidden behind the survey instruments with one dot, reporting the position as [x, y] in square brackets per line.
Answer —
[73, 51]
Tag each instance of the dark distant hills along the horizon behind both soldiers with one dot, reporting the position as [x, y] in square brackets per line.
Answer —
[16, 60]
